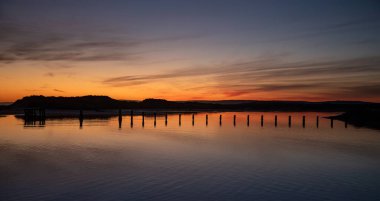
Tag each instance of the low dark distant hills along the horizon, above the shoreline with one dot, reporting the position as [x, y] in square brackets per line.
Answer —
[105, 102]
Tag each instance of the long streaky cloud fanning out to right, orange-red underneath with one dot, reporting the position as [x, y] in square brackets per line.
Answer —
[357, 76]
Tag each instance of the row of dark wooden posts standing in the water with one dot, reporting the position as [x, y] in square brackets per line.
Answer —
[220, 120]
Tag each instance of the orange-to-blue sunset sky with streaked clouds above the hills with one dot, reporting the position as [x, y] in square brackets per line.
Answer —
[191, 49]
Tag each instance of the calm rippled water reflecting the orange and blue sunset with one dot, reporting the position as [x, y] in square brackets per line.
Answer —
[100, 161]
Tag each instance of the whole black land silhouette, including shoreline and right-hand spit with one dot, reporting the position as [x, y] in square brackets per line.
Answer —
[357, 113]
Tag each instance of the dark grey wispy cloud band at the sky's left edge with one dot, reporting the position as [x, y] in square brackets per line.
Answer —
[23, 43]
